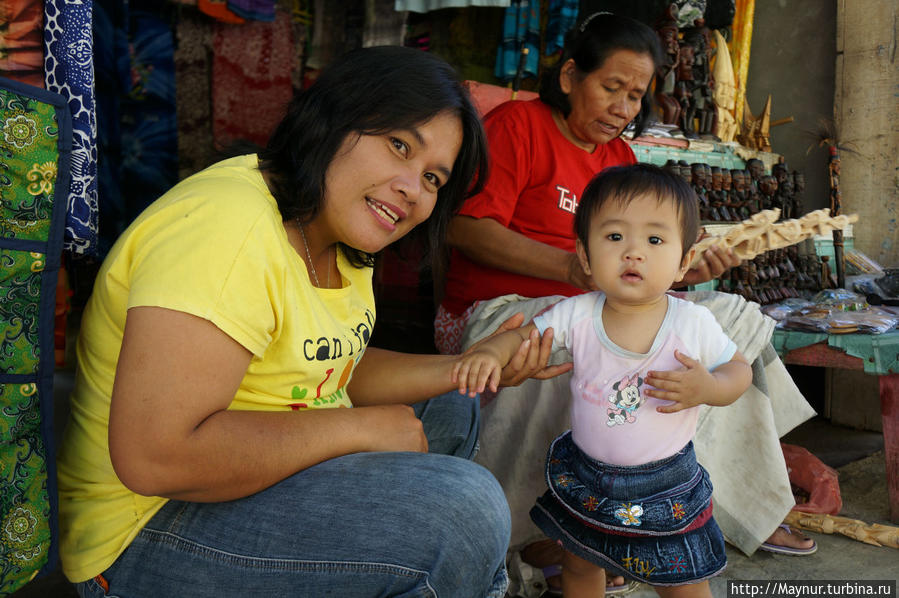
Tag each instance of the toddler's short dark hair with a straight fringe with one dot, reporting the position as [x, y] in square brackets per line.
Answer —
[624, 183]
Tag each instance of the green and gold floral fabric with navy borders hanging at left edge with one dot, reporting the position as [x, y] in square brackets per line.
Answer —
[35, 142]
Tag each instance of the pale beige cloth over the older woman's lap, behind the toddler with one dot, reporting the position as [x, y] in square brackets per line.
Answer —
[739, 445]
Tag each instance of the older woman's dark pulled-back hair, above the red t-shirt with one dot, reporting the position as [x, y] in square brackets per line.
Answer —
[589, 44]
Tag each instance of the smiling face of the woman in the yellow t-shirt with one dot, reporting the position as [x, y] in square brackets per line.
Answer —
[379, 187]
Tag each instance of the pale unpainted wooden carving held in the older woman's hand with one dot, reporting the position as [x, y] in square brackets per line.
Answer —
[762, 232]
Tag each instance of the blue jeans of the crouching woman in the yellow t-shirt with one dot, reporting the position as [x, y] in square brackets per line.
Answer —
[362, 525]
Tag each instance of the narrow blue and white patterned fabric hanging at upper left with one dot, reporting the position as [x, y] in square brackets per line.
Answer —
[69, 71]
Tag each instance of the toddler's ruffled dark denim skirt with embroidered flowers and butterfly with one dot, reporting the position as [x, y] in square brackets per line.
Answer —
[651, 523]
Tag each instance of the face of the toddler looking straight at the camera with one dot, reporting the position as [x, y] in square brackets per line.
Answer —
[634, 252]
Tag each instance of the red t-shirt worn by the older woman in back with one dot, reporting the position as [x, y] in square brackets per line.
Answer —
[536, 176]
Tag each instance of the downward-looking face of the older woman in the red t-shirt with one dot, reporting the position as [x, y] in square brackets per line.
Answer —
[607, 99]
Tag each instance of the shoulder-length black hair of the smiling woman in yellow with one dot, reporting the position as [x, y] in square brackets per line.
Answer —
[371, 91]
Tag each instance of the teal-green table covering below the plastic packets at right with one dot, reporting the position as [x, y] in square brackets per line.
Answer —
[878, 352]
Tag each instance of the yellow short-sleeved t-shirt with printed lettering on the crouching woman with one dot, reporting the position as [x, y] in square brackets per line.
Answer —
[215, 247]
